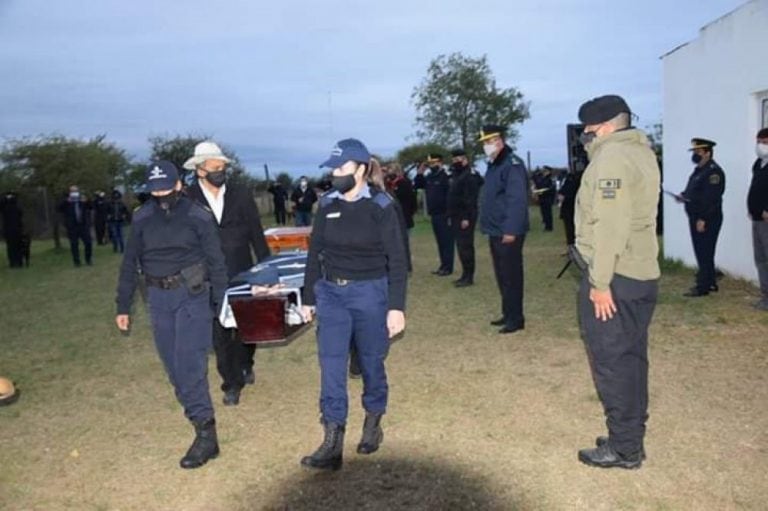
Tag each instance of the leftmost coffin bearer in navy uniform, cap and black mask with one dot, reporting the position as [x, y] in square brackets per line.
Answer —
[175, 244]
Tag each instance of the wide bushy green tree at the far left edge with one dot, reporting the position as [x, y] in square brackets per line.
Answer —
[53, 163]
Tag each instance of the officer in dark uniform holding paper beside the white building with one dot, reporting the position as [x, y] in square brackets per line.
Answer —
[703, 199]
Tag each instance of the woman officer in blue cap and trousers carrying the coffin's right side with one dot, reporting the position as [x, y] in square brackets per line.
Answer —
[356, 275]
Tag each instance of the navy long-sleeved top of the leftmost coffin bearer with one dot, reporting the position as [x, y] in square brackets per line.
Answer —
[164, 243]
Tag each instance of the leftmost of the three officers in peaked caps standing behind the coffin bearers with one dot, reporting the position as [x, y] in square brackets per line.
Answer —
[436, 184]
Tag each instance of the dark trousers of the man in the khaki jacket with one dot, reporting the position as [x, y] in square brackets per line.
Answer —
[618, 357]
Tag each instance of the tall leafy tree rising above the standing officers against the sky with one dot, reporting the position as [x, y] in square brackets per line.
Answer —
[458, 96]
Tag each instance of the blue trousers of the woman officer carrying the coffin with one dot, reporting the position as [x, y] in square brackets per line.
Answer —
[357, 310]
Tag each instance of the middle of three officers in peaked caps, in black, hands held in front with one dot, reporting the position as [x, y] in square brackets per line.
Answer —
[462, 212]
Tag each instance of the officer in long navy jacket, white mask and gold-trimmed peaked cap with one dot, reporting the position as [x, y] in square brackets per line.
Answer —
[504, 218]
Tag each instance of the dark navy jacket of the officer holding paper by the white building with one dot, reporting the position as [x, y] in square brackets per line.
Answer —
[704, 192]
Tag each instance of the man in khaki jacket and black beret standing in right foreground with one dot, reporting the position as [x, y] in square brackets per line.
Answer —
[616, 238]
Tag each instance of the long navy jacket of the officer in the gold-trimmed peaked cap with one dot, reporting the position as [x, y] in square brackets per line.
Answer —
[504, 208]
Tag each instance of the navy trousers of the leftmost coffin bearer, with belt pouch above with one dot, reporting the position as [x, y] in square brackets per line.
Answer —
[181, 324]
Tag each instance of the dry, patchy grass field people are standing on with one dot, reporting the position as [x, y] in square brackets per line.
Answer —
[476, 420]
